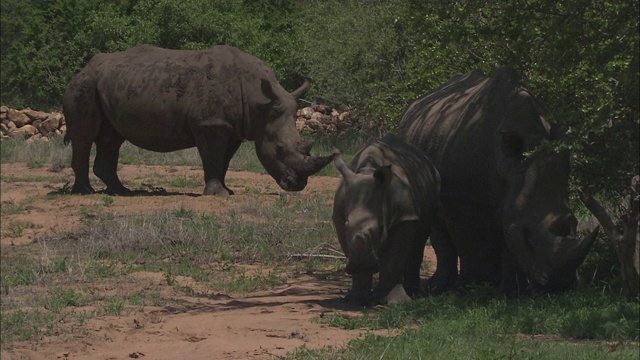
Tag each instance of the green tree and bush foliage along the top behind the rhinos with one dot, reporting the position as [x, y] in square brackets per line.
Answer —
[579, 57]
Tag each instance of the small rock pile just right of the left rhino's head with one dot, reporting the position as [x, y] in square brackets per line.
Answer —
[320, 119]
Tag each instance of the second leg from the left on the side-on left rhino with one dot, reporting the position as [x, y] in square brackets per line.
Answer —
[105, 165]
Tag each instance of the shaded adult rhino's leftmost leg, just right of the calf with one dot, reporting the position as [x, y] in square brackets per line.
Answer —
[446, 272]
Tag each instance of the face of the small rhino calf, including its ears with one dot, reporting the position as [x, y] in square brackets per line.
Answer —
[364, 225]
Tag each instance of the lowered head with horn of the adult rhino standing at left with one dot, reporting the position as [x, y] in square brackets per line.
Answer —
[280, 149]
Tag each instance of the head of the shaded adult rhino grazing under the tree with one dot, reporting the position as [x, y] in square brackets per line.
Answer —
[539, 228]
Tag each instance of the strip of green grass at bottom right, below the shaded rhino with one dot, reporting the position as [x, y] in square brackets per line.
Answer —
[580, 324]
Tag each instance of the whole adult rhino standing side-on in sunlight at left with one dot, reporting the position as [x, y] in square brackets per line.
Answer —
[165, 100]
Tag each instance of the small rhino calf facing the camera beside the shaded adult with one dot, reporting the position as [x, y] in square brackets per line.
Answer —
[383, 210]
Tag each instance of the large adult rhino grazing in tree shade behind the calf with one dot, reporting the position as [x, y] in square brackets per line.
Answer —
[504, 209]
